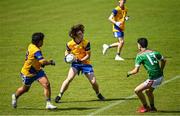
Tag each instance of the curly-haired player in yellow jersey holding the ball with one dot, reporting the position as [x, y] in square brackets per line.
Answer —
[80, 47]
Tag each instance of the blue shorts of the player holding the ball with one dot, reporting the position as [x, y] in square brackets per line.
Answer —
[83, 68]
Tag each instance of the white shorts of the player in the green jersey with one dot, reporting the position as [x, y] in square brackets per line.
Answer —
[153, 83]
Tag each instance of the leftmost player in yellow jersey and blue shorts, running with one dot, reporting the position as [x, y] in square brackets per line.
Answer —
[32, 71]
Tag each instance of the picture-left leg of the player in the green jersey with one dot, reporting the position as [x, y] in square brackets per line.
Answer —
[139, 92]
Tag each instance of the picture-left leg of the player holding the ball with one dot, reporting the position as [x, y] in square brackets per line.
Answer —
[72, 73]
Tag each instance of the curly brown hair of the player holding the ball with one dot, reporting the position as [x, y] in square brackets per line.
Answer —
[75, 29]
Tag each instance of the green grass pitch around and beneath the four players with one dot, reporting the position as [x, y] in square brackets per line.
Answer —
[158, 20]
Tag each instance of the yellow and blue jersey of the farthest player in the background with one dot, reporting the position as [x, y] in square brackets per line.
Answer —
[119, 16]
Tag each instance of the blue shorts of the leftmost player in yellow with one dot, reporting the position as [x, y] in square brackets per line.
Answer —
[29, 80]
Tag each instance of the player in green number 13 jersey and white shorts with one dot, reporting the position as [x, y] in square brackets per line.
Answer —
[154, 63]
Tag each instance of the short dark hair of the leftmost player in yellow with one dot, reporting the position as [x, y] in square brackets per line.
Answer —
[36, 37]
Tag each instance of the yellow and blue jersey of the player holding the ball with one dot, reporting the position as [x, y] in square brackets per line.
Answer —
[79, 50]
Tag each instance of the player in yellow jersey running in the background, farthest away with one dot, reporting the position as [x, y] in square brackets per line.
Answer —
[117, 18]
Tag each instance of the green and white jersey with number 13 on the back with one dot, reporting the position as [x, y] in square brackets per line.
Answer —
[150, 60]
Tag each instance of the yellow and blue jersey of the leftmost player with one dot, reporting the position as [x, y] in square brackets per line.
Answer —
[33, 61]
